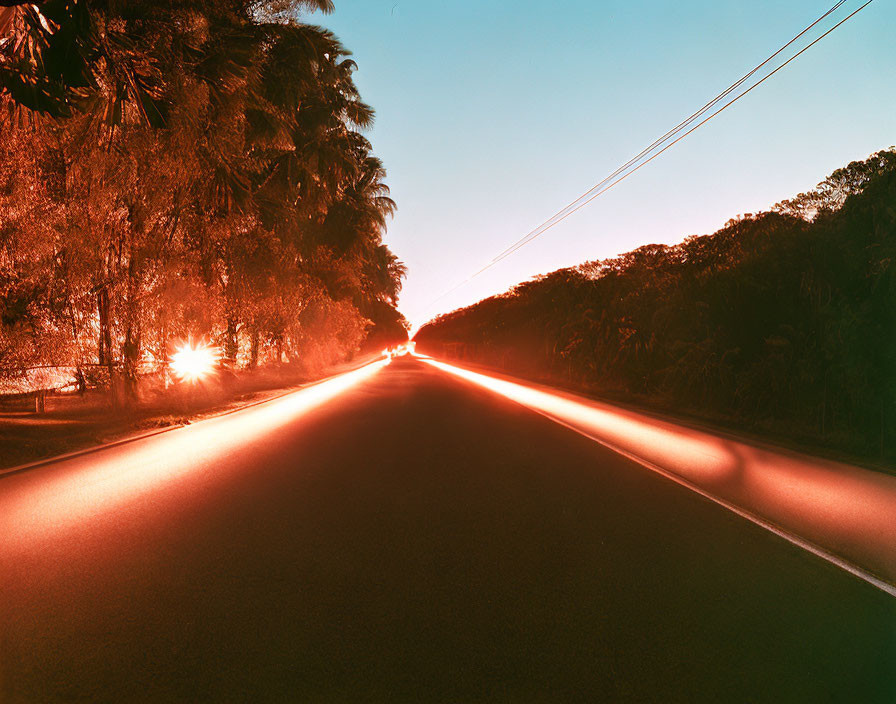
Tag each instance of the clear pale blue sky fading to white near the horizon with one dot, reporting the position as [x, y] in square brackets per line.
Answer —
[493, 114]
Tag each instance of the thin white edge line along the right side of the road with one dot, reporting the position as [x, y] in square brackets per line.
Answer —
[792, 538]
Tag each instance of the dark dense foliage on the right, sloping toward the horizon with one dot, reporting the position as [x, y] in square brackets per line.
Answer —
[783, 321]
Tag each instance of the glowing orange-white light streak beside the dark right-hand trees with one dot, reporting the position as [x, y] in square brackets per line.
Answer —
[844, 514]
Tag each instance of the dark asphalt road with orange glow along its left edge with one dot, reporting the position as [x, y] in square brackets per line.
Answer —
[414, 538]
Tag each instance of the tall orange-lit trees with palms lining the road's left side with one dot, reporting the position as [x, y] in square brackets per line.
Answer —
[174, 170]
